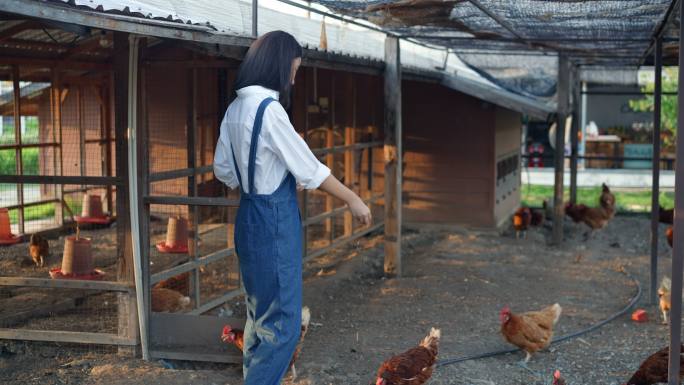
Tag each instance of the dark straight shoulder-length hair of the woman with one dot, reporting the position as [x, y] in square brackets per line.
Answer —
[268, 63]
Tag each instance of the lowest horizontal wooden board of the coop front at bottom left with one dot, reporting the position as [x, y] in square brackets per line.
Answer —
[63, 336]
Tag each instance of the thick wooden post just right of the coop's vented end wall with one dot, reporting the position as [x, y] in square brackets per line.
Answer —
[559, 158]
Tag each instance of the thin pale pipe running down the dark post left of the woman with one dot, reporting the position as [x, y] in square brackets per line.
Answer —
[133, 190]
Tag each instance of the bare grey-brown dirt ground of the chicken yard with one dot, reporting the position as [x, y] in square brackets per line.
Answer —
[455, 279]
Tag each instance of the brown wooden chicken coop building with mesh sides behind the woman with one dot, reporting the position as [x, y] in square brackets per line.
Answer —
[68, 107]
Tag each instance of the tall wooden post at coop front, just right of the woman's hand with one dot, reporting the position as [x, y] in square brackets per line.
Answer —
[392, 154]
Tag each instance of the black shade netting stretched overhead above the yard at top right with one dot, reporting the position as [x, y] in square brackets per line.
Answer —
[510, 52]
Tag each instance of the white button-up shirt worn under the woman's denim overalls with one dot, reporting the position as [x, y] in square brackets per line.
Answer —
[280, 149]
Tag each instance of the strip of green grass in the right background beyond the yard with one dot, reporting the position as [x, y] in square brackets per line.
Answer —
[627, 201]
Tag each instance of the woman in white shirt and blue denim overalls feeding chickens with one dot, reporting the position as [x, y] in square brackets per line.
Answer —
[272, 160]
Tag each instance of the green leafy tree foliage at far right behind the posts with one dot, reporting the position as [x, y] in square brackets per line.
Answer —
[668, 107]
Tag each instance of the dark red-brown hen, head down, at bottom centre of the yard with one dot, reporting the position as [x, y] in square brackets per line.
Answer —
[414, 366]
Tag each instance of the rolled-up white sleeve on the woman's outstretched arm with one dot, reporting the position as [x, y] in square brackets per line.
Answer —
[292, 149]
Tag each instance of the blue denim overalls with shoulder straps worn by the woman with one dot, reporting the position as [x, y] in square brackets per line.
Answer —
[268, 242]
